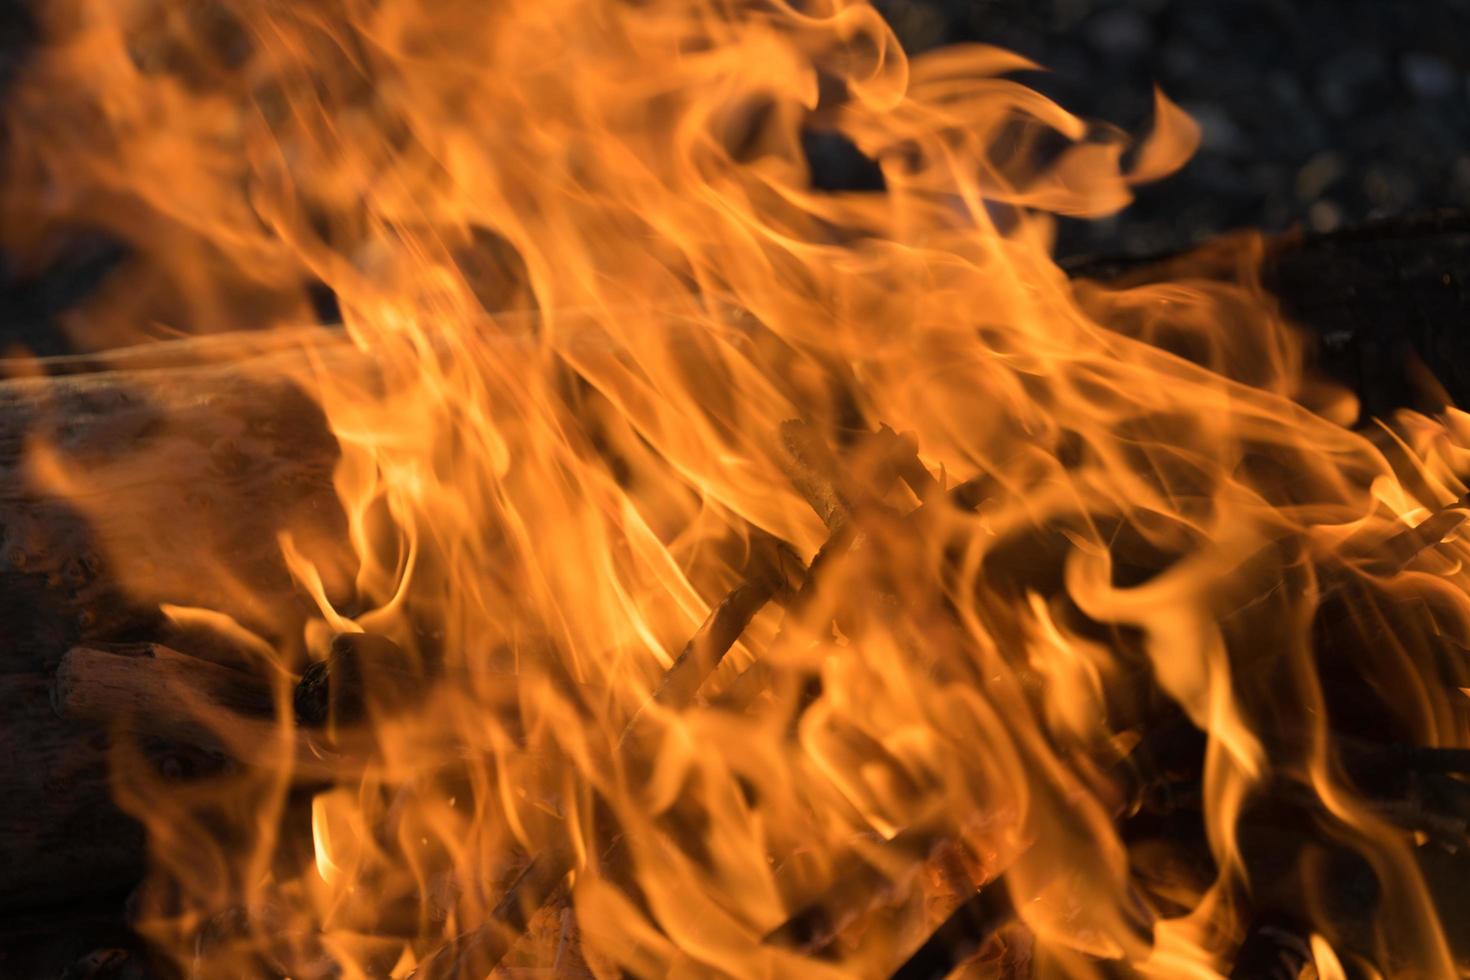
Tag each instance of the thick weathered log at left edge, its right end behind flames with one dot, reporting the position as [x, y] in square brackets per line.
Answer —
[201, 468]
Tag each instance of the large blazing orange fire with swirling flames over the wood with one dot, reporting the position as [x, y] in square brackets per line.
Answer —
[969, 556]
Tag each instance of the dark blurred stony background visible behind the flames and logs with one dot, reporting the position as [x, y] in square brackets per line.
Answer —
[1315, 114]
